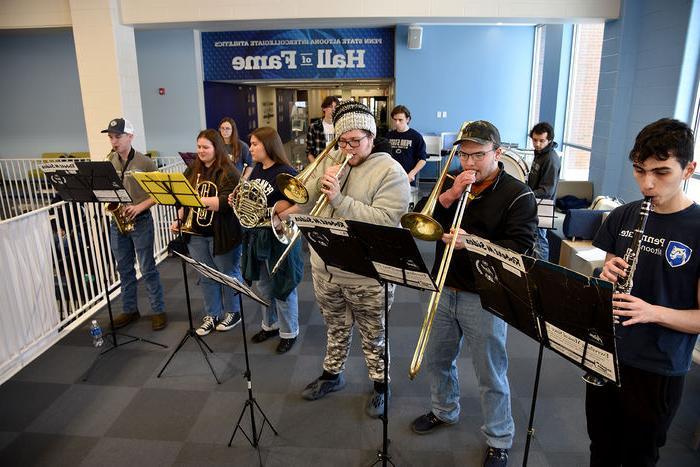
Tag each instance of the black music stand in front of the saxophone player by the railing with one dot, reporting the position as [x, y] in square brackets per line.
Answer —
[93, 182]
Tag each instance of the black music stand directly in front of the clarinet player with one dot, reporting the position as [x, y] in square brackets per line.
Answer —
[567, 312]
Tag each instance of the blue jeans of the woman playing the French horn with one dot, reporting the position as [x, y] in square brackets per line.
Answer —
[281, 314]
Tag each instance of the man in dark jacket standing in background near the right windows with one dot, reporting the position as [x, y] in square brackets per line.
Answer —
[544, 175]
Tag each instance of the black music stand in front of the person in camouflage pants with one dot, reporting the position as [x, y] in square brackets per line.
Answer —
[387, 254]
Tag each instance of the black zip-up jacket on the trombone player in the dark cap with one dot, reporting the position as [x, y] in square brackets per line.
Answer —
[504, 213]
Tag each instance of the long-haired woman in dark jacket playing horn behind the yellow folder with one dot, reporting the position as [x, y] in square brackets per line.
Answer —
[217, 245]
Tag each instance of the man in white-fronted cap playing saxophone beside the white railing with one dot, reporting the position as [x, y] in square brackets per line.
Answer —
[139, 243]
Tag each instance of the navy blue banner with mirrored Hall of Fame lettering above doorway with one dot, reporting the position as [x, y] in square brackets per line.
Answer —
[366, 53]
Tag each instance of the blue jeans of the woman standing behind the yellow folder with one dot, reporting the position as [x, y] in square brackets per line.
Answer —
[218, 298]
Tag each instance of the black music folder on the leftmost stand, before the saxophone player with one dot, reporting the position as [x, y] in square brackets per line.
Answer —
[88, 182]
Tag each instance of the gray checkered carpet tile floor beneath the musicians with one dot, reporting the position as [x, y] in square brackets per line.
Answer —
[125, 415]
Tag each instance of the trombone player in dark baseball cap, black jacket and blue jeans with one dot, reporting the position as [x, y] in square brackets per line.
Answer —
[503, 210]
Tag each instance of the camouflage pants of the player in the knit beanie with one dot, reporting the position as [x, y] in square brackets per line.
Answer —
[342, 306]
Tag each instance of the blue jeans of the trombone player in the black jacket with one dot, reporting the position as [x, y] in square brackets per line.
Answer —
[459, 316]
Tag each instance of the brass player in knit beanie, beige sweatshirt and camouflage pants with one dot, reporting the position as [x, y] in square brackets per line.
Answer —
[373, 188]
